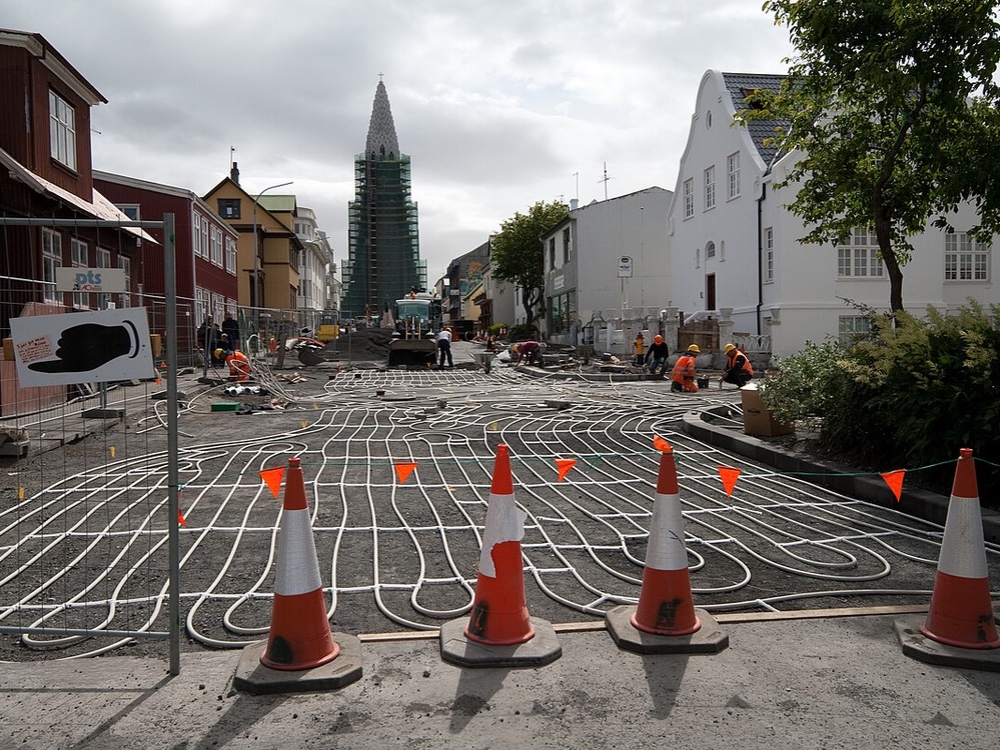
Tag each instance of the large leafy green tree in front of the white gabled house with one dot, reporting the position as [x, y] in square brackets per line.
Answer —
[894, 107]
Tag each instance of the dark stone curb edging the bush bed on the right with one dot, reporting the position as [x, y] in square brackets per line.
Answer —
[922, 504]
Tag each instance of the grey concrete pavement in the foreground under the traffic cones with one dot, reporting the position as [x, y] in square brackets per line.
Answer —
[818, 683]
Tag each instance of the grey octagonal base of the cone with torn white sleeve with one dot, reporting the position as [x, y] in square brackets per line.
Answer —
[457, 648]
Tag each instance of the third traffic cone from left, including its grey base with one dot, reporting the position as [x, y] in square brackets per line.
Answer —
[665, 620]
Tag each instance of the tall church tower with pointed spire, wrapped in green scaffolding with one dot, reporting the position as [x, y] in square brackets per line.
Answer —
[383, 262]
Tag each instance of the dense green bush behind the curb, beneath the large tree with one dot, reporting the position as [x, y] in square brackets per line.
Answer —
[911, 396]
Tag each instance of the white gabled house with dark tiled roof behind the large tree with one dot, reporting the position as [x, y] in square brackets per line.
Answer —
[735, 246]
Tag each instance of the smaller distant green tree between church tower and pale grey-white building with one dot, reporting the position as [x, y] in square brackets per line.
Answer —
[517, 255]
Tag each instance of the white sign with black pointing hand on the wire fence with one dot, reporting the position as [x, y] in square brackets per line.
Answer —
[92, 347]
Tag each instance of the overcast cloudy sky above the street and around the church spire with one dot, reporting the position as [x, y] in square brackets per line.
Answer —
[499, 104]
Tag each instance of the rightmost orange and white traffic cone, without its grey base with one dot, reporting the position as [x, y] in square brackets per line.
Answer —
[961, 612]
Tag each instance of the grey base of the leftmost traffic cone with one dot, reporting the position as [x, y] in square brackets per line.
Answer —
[254, 677]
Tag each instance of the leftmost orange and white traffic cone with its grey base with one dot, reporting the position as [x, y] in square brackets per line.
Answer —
[299, 639]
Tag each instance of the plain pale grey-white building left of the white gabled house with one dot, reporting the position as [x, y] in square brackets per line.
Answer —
[607, 261]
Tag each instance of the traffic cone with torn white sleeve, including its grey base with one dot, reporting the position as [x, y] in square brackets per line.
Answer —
[499, 611]
